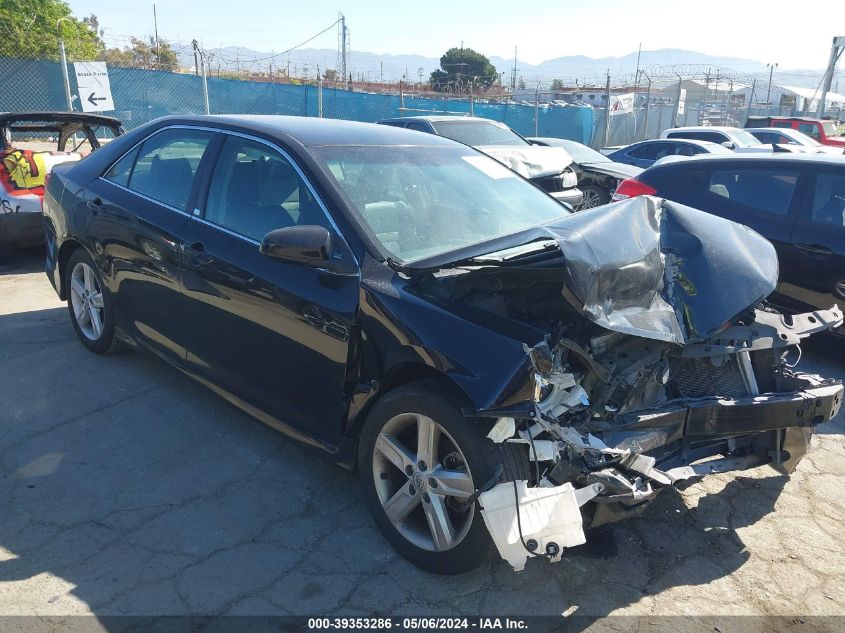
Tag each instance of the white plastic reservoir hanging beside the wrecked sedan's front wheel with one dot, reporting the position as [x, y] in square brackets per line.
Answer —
[548, 516]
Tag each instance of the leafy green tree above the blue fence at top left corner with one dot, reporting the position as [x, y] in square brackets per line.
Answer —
[32, 29]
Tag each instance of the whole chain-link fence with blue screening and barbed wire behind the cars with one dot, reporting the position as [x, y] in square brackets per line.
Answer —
[145, 88]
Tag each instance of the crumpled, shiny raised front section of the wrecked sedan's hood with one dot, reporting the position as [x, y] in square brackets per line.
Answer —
[657, 269]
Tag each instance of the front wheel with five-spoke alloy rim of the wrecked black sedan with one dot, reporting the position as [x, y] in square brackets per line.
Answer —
[420, 461]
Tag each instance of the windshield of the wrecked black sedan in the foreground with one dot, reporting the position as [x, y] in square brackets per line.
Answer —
[421, 202]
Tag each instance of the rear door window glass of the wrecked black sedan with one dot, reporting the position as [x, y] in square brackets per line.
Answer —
[166, 165]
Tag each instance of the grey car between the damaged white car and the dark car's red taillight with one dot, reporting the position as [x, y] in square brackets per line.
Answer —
[598, 176]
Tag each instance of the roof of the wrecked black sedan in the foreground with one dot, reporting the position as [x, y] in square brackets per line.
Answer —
[314, 131]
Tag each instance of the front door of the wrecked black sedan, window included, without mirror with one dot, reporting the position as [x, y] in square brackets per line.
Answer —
[274, 334]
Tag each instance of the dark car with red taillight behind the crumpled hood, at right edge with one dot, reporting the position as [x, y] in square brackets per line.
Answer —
[797, 201]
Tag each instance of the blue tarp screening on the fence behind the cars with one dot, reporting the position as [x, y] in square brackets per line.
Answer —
[142, 95]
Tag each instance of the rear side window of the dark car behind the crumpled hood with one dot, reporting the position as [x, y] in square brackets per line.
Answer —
[762, 190]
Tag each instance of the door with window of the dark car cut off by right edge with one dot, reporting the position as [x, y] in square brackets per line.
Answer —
[819, 243]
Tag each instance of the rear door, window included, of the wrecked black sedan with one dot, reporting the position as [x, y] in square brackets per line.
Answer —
[139, 209]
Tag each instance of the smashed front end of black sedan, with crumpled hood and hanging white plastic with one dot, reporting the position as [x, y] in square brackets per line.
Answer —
[660, 363]
